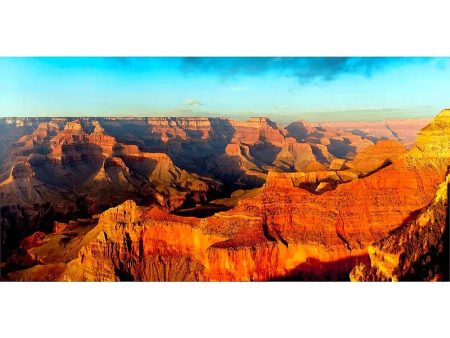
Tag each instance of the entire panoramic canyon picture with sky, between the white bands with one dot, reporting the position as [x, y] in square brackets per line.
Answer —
[224, 169]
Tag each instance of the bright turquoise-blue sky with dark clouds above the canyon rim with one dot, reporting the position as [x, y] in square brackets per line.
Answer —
[281, 88]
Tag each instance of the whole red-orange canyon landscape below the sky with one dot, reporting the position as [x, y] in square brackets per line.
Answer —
[215, 199]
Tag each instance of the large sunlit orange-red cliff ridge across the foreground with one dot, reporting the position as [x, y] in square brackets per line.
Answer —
[274, 236]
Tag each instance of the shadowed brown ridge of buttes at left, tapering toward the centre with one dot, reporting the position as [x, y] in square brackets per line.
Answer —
[61, 171]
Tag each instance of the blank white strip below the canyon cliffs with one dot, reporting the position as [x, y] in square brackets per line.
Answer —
[224, 309]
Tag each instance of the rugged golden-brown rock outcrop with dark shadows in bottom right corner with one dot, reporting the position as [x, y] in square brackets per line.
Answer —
[416, 250]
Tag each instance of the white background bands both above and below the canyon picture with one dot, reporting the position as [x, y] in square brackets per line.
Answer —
[224, 28]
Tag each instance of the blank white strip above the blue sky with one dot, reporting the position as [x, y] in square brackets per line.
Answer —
[224, 28]
